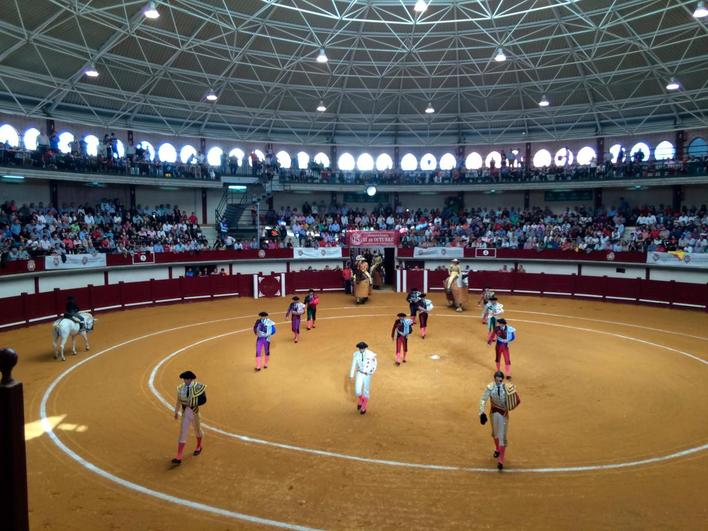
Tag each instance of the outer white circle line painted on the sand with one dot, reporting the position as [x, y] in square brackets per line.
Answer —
[48, 428]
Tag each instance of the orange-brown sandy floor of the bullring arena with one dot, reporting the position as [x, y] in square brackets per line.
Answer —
[612, 432]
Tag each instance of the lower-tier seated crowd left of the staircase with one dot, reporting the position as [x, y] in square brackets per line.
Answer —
[30, 231]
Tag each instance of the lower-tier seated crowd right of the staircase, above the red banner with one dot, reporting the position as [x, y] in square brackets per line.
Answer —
[621, 228]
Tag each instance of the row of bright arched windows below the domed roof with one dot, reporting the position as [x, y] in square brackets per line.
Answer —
[543, 158]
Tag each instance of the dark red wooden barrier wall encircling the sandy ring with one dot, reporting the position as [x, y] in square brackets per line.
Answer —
[28, 308]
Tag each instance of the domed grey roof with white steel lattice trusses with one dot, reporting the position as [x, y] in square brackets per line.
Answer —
[602, 65]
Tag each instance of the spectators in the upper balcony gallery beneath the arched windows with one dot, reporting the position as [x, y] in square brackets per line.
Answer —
[112, 158]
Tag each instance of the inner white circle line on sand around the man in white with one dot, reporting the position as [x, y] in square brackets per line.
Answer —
[326, 453]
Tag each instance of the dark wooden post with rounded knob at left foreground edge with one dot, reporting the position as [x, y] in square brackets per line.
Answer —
[13, 461]
